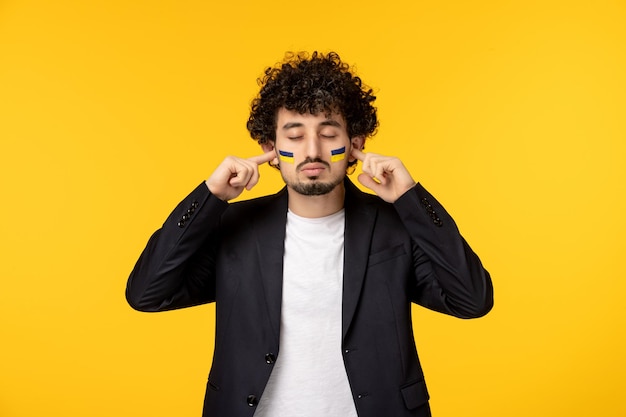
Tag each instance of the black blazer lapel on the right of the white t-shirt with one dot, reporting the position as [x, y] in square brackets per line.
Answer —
[360, 218]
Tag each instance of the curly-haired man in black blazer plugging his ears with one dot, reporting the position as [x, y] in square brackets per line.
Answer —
[313, 285]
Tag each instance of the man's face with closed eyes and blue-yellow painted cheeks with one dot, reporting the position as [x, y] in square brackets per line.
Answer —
[313, 150]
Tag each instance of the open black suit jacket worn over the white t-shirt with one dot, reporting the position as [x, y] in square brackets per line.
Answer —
[395, 254]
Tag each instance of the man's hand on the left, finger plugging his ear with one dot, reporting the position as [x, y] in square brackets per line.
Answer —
[234, 174]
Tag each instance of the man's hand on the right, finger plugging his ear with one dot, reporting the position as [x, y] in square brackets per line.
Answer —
[385, 175]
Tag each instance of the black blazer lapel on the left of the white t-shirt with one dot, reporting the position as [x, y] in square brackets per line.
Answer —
[269, 228]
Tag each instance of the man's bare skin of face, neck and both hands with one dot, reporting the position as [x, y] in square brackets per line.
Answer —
[311, 138]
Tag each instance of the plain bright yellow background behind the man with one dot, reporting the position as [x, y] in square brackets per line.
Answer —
[511, 112]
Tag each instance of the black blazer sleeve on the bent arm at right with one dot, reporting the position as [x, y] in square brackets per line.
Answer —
[449, 276]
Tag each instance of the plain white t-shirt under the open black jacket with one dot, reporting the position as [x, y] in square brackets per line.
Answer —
[309, 377]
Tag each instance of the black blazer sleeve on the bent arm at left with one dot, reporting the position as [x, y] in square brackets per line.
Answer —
[177, 267]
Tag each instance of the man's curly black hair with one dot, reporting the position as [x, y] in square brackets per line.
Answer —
[315, 84]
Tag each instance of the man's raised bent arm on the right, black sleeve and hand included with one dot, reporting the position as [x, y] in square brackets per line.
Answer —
[449, 276]
